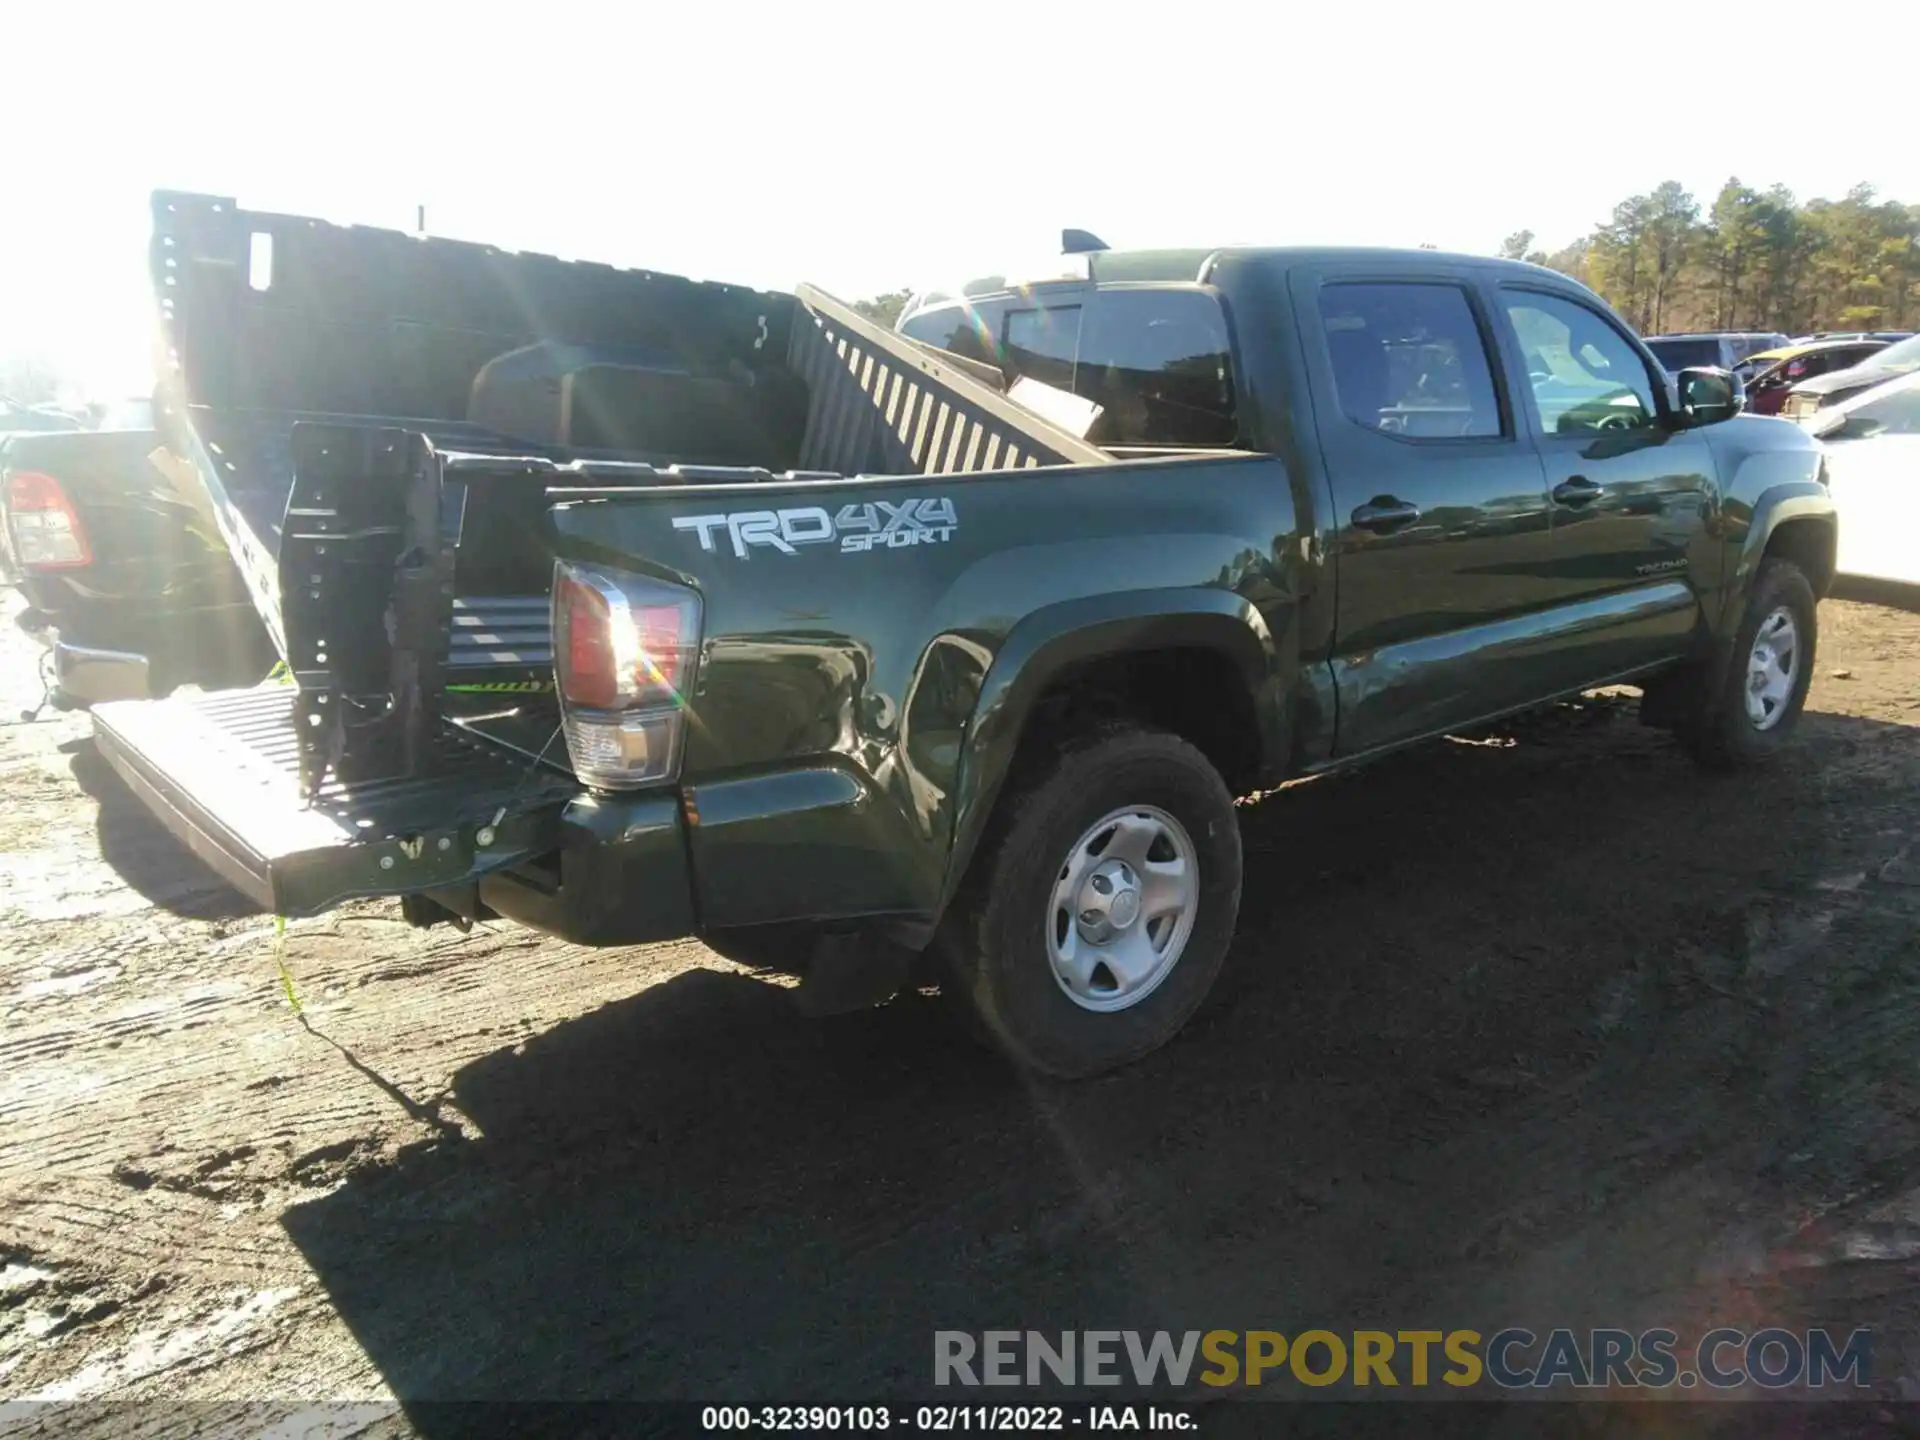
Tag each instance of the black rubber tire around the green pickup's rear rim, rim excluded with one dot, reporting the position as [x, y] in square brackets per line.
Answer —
[996, 946]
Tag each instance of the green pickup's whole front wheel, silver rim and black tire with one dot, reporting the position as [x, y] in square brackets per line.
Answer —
[1765, 675]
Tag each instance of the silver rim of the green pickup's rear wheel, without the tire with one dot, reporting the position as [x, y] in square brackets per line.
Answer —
[1122, 909]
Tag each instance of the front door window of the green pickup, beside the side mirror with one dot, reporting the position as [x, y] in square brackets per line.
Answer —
[1583, 373]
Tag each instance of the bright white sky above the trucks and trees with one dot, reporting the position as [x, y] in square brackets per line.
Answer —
[867, 147]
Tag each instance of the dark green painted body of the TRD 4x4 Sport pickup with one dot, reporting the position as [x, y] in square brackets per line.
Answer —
[911, 675]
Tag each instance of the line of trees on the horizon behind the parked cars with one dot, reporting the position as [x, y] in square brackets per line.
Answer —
[1754, 260]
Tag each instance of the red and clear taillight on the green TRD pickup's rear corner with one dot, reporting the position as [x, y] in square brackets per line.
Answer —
[625, 648]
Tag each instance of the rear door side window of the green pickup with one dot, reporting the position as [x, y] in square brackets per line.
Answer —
[1410, 360]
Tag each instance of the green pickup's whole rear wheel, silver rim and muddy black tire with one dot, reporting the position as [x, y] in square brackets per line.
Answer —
[1101, 917]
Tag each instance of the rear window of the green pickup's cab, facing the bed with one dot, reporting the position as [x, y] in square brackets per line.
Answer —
[1157, 362]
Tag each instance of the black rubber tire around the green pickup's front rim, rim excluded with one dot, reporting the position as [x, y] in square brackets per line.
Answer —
[1717, 729]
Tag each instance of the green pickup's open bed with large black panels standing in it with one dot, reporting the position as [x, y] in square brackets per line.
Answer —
[381, 425]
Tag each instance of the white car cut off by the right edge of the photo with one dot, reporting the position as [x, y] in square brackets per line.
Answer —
[1873, 456]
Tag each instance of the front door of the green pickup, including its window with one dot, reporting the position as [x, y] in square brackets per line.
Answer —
[1629, 496]
